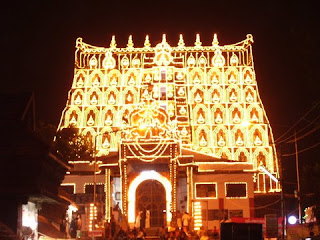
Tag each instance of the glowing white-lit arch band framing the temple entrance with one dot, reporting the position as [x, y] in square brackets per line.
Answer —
[142, 177]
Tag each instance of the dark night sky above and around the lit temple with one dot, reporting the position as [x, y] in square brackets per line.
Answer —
[38, 44]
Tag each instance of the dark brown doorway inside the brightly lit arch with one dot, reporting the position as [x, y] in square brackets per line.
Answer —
[151, 195]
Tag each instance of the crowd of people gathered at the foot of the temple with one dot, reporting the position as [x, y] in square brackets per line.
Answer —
[118, 229]
